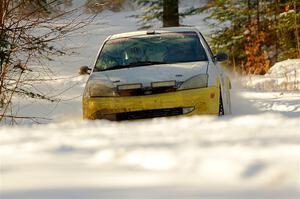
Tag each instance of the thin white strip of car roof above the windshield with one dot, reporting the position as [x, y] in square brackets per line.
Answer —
[160, 30]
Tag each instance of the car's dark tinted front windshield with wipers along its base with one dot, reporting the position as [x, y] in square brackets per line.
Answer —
[162, 48]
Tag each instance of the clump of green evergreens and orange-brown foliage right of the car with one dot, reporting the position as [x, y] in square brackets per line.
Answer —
[255, 33]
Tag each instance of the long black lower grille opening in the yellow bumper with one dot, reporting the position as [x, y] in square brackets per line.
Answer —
[149, 114]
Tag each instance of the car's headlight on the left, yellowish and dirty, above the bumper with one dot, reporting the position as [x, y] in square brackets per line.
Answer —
[100, 90]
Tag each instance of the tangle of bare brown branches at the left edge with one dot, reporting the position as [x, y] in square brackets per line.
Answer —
[28, 32]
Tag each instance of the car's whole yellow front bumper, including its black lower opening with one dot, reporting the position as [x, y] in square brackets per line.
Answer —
[199, 101]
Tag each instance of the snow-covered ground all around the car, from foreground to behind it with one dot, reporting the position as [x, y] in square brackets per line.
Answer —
[254, 153]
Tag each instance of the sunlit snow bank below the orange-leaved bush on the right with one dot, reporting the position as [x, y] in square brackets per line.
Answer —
[283, 75]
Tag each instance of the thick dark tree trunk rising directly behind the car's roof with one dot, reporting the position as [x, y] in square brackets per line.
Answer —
[170, 13]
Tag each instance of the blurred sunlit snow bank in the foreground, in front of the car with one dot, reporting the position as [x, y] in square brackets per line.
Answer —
[197, 154]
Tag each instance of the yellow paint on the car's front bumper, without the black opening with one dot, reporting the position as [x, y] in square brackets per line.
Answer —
[204, 100]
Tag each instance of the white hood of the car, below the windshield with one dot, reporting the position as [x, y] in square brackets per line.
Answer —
[153, 73]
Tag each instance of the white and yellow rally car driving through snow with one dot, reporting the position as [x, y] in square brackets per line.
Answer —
[157, 73]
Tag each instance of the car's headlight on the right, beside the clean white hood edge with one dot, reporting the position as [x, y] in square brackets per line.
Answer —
[199, 81]
